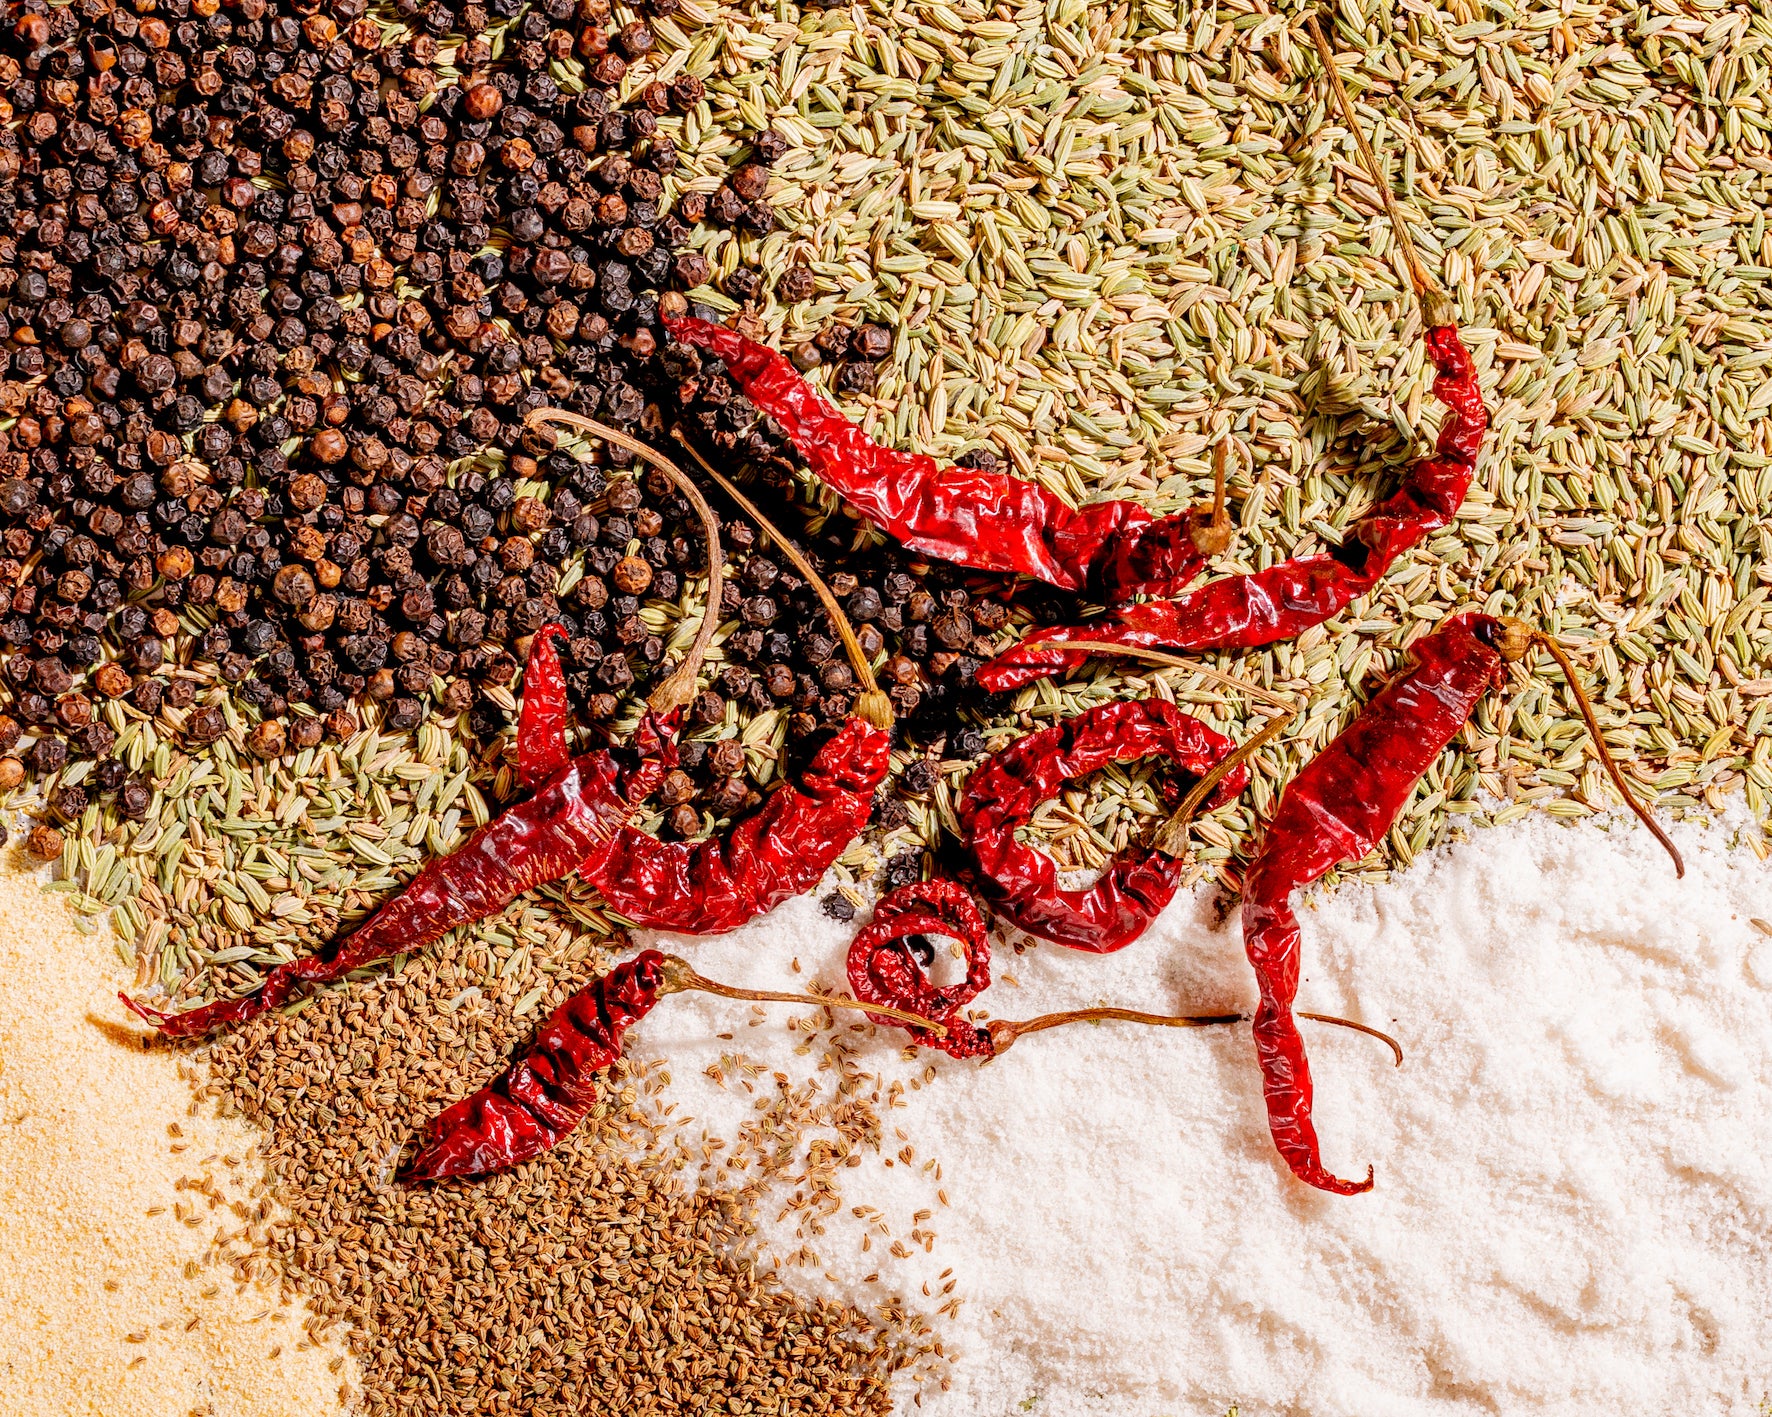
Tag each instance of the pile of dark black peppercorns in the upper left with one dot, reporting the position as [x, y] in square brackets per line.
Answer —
[270, 283]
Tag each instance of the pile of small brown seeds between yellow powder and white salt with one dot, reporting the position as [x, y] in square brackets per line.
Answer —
[586, 1281]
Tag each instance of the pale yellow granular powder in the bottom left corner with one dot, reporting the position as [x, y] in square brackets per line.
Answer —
[97, 1312]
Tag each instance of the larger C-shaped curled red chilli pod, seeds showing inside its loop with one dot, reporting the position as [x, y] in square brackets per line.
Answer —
[1022, 883]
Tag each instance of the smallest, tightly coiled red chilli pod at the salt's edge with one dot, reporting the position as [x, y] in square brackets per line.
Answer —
[885, 972]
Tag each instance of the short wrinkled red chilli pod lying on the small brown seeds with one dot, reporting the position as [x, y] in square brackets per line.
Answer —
[541, 1097]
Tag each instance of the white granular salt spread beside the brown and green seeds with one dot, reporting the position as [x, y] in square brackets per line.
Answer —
[1574, 1200]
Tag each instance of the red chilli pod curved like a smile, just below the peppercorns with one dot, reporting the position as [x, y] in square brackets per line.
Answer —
[706, 888]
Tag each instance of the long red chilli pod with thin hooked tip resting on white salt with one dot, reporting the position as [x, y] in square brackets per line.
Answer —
[1337, 810]
